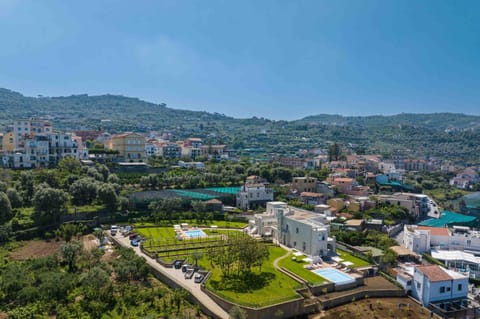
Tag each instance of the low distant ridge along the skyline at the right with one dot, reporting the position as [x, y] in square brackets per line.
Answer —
[438, 121]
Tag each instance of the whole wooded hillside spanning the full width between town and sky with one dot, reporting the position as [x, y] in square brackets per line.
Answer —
[413, 135]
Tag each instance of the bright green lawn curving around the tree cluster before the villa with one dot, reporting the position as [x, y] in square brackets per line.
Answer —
[278, 286]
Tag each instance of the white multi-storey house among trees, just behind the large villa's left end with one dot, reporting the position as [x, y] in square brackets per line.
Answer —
[253, 194]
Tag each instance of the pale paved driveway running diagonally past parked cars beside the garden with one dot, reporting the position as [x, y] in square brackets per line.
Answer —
[177, 276]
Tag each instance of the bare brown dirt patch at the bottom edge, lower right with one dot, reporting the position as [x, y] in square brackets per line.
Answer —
[377, 308]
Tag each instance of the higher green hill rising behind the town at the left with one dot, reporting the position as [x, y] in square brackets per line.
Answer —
[107, 111]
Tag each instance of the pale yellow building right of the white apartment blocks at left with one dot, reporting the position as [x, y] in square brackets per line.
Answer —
[130, 146]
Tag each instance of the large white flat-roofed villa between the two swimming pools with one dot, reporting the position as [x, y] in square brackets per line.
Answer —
[303, 230]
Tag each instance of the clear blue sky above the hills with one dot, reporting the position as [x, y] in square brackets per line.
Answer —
[277, 59]
